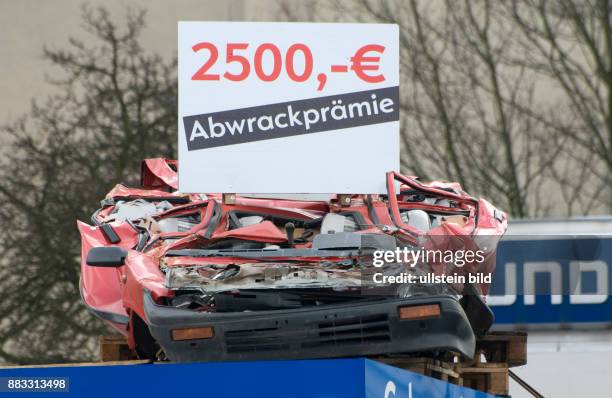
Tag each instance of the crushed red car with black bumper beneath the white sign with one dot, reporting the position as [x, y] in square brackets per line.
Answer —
[211, 277]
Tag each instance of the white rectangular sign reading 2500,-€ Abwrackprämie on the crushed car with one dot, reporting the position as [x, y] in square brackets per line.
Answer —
[287, 107]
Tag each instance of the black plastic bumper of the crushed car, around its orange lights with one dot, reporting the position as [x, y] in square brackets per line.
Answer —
[345, 330]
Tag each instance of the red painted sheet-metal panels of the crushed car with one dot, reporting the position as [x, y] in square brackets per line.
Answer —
[120, 291]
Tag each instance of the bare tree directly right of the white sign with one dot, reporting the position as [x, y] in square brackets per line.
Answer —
[464, 100]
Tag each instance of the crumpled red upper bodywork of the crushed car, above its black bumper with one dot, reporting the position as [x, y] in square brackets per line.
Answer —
[177, 240]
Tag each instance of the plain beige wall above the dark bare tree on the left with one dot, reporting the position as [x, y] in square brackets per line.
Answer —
[27, 25]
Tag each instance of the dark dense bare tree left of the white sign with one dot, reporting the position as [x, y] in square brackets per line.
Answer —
[116, 105]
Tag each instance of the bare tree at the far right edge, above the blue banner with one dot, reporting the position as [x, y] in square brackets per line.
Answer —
[569, 43]
